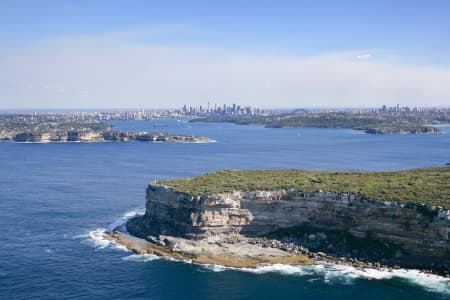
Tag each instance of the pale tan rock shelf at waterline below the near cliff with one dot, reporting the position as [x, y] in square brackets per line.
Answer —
[240, 252]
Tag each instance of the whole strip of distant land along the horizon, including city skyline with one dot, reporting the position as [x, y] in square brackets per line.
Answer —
[91, 126]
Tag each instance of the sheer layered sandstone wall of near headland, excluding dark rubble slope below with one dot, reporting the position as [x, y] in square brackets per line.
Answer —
[420, 232]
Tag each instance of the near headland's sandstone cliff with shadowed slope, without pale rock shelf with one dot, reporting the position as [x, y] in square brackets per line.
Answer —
[339, 224]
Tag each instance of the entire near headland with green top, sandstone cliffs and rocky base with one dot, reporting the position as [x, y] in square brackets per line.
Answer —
[249, 218]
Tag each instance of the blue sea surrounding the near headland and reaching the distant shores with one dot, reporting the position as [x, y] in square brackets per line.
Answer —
[55, 198]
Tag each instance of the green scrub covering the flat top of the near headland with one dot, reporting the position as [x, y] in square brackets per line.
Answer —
[428, 186]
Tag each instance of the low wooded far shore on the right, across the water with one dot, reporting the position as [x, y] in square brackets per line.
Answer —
[382, 121]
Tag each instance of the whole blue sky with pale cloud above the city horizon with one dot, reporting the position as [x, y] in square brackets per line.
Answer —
[271, 54]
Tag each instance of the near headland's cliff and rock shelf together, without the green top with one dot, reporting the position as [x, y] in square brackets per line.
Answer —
[250, 229]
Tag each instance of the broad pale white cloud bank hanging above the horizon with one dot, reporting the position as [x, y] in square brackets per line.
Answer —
[120, 73]
